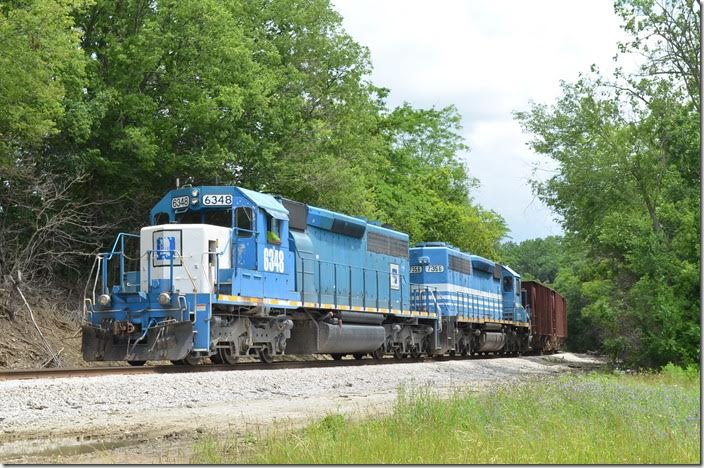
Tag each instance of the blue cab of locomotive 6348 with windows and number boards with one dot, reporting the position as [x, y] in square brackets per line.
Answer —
[254, 259]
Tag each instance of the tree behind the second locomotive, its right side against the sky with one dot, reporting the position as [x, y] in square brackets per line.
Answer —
[424, 188]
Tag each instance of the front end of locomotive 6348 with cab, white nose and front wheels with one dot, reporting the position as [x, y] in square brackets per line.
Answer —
[209, 253]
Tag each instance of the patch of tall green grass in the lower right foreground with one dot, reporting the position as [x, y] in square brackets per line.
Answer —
[595, 418]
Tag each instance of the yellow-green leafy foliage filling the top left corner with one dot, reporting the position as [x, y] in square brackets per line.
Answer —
[40, 66]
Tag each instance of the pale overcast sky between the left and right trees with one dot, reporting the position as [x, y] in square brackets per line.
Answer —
[488, 58]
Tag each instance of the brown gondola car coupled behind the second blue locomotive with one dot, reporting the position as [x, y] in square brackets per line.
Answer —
[548, 316]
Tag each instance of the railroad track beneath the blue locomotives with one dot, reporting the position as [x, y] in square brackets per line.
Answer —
[62, 372]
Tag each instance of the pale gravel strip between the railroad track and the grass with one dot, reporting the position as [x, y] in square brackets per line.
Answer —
[156, 418]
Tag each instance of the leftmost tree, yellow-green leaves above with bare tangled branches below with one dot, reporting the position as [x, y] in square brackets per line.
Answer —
[43, 222]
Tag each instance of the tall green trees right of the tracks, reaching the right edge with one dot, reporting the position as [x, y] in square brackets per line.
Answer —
[628, 189]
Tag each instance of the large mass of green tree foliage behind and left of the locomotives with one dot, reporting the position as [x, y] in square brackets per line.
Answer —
[267, 94]
